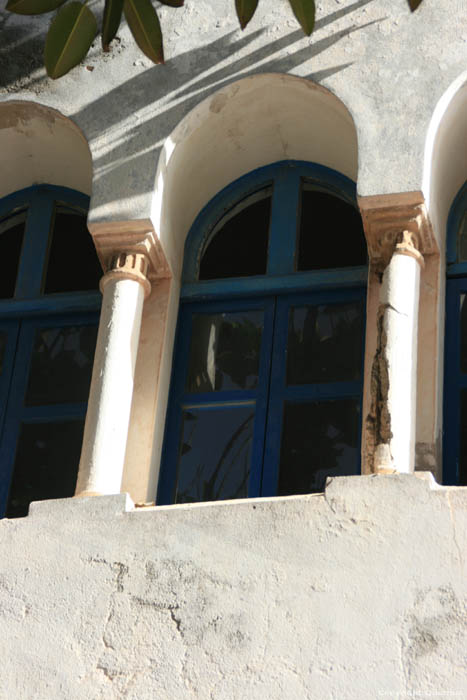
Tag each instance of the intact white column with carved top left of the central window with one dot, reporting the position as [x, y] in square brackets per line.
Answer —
[124, 288]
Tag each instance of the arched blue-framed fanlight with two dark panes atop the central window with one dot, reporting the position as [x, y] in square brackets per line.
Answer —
[284, 218]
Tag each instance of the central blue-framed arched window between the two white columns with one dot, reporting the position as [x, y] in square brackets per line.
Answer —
[267, 377]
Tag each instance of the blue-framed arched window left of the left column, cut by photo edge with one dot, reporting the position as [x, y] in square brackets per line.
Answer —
[49, 304]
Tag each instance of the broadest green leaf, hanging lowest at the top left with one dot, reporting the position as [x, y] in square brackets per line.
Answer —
[69, 37]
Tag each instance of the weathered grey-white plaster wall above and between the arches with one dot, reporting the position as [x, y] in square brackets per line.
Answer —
[390, 69]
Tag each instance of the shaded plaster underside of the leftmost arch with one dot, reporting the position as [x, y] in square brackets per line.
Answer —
[40, 145]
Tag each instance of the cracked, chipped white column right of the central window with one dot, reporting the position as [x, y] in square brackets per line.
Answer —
[399, 304]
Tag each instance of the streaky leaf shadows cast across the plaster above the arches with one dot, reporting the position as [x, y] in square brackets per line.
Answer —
[134, 134]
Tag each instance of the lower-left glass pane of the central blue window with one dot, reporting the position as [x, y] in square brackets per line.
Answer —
[214, 457]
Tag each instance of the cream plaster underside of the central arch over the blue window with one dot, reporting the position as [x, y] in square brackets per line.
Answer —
[251, 123]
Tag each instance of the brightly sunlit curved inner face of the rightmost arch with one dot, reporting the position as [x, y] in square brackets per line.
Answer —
[445, 166]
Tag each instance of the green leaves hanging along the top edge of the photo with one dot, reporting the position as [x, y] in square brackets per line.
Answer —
[74, 26]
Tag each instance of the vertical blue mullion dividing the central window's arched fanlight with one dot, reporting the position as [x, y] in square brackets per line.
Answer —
[284, 222]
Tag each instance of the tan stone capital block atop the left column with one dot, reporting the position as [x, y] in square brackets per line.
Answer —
[130, 237]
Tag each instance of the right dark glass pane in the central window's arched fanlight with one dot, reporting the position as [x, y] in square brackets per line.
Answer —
[330, 233]
